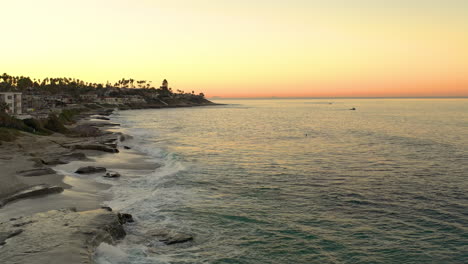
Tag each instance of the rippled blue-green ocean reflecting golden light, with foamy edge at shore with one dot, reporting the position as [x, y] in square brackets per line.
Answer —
[298, 181]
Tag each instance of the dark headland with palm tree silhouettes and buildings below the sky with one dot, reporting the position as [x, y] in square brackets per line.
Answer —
[24, 97]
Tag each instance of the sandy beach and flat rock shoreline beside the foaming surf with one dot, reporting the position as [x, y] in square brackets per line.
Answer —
[59, 197]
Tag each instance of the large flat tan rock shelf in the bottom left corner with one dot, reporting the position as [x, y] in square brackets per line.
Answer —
[58, 236]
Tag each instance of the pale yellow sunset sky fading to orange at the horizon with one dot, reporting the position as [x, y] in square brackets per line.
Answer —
[245, 48]
